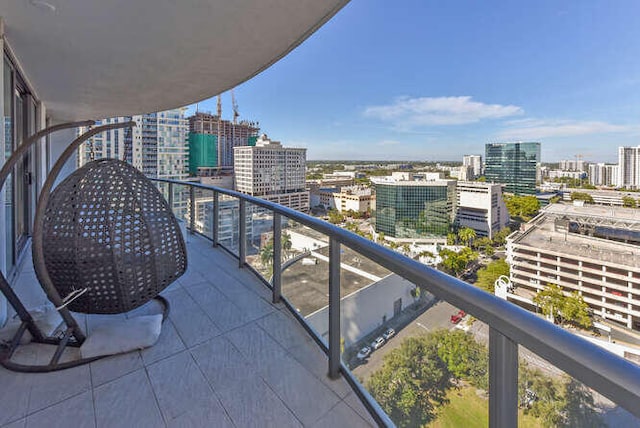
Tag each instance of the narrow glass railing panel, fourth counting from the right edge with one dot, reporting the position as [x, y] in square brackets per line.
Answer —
[260, 240]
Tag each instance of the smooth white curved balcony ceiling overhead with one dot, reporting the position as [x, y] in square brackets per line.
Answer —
[91, 59]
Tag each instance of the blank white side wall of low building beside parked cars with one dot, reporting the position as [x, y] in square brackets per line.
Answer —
[366, 309]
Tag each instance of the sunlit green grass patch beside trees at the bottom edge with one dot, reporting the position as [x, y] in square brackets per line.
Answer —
[467, 409]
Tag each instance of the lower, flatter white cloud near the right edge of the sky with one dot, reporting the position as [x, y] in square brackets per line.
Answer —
[532, 129]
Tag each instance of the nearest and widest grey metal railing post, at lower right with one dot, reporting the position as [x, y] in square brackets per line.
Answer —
[503, 380]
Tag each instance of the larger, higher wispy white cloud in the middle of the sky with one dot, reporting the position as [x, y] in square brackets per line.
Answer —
[406, 113]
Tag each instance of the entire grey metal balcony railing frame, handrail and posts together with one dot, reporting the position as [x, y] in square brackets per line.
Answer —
[509, 325]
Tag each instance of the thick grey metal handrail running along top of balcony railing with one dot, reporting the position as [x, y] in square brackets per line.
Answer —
[610, 375]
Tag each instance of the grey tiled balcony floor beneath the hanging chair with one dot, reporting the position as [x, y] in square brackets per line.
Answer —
[226, 357]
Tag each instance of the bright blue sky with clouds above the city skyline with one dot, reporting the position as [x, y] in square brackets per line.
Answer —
[433, 80]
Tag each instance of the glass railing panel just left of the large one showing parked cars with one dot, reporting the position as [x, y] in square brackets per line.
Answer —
[305, 274]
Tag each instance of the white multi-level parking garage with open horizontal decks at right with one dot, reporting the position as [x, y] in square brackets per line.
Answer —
[592, 250]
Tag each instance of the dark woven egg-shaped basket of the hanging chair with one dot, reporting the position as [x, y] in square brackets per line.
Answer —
[111, 236]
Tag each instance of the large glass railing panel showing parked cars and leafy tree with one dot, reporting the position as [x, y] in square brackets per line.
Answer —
[423, 359]
